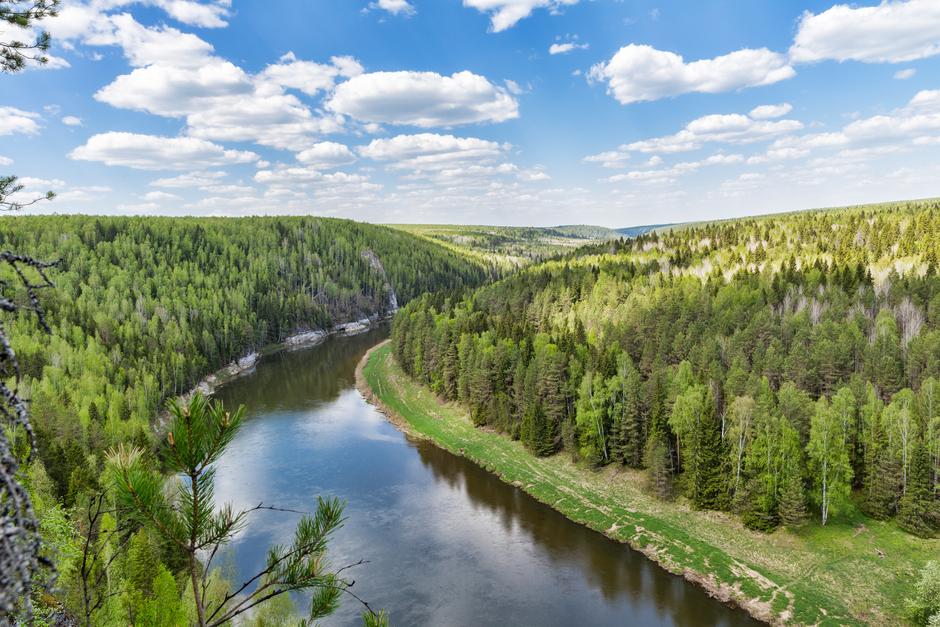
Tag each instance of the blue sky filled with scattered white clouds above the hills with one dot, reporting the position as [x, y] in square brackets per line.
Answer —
[528, 112]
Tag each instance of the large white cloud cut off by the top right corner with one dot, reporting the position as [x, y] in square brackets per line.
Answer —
[892, 32]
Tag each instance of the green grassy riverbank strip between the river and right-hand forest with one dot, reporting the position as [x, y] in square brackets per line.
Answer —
[853, 571]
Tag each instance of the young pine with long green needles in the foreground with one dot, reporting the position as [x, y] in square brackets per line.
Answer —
[189, 519]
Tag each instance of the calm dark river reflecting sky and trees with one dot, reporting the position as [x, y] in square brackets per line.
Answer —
[446, 542]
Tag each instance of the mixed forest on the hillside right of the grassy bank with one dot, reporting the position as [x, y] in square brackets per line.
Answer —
[772, 367]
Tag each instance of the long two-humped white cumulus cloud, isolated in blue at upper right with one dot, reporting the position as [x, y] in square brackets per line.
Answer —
[638, 73]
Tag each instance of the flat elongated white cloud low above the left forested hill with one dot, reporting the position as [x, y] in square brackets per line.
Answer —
[151, 152]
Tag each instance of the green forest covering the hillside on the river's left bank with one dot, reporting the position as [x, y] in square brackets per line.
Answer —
[141, 309]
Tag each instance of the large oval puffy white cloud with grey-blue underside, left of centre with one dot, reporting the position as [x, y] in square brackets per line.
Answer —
[424, 99]
